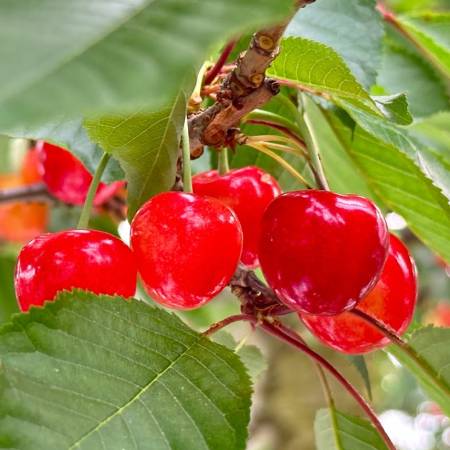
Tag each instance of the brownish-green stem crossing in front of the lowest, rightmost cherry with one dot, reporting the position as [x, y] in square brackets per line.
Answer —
[403, 345]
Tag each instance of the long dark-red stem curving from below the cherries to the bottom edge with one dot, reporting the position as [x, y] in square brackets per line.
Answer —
[277, 331]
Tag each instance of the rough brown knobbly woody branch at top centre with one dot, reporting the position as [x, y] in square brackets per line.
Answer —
[243, 90]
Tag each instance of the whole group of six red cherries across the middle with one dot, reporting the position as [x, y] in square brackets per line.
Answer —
[323, 254]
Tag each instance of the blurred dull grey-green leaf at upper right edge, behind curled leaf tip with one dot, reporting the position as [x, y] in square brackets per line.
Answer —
[404, 71]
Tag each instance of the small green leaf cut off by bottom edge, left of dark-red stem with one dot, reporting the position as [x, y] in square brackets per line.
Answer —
[345, 432]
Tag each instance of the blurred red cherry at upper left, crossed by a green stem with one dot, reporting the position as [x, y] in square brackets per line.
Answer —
[67, 178]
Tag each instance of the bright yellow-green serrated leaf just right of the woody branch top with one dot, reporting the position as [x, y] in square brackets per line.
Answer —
[318, 67]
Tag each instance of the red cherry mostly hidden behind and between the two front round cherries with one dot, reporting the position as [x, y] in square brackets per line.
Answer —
[248, 192]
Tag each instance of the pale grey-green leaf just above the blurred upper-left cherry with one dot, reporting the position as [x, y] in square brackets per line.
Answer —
[71, 135]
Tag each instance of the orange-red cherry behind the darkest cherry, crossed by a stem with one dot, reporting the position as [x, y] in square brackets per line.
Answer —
[391, 301]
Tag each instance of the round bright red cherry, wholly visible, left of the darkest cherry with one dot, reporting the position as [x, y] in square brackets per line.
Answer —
[187, 247]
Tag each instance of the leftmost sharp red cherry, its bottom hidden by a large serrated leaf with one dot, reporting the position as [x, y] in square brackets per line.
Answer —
[84, 259]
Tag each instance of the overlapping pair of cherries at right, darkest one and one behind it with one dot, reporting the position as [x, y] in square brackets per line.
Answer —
[325, 254]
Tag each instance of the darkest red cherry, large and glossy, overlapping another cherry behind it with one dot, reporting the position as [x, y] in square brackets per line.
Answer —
[322, 252]
